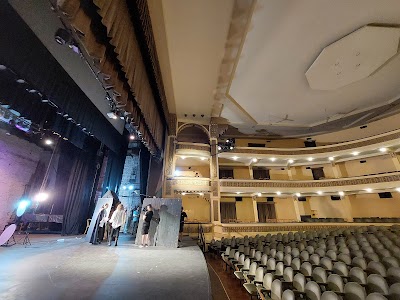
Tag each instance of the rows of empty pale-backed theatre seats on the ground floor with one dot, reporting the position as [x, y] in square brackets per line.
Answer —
[354, 263]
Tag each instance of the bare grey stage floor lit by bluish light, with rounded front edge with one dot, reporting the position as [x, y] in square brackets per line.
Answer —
[56, 267]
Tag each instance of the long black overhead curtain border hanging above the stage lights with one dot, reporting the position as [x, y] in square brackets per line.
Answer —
[24, 53]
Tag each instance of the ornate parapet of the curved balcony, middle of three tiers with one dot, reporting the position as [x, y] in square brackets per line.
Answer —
[390, 177]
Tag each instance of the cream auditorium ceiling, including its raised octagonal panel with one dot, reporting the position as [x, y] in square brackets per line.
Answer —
[250, 63]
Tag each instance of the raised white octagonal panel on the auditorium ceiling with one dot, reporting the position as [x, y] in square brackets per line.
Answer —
[354, 57]
